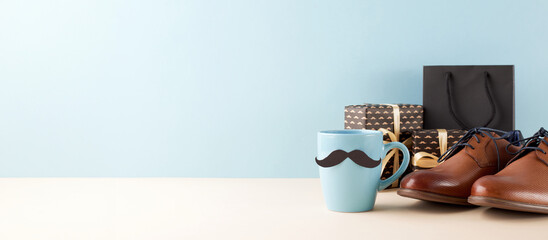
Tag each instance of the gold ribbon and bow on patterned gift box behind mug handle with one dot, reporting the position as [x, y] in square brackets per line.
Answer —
[394, 137]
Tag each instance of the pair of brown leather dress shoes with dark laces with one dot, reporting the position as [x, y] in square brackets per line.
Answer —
[487, 167]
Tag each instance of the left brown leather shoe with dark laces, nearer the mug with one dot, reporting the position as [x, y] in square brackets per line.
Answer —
[482, 151]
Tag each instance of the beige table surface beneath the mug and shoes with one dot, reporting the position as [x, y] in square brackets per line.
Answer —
[179, 208]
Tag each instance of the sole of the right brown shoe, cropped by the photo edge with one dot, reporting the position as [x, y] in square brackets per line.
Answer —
[507, 204]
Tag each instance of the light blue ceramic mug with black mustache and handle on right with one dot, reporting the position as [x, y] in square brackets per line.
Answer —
[350, 168]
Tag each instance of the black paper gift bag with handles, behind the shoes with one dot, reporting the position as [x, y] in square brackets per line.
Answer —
[463, 97]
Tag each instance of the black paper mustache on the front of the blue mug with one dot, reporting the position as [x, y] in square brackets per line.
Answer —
[357, 156]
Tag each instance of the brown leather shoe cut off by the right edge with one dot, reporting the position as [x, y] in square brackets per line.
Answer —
[522, 185]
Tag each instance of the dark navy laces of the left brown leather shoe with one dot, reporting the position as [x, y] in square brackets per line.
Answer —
[512, 136]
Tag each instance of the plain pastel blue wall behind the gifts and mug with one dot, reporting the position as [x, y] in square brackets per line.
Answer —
[232, 88]
